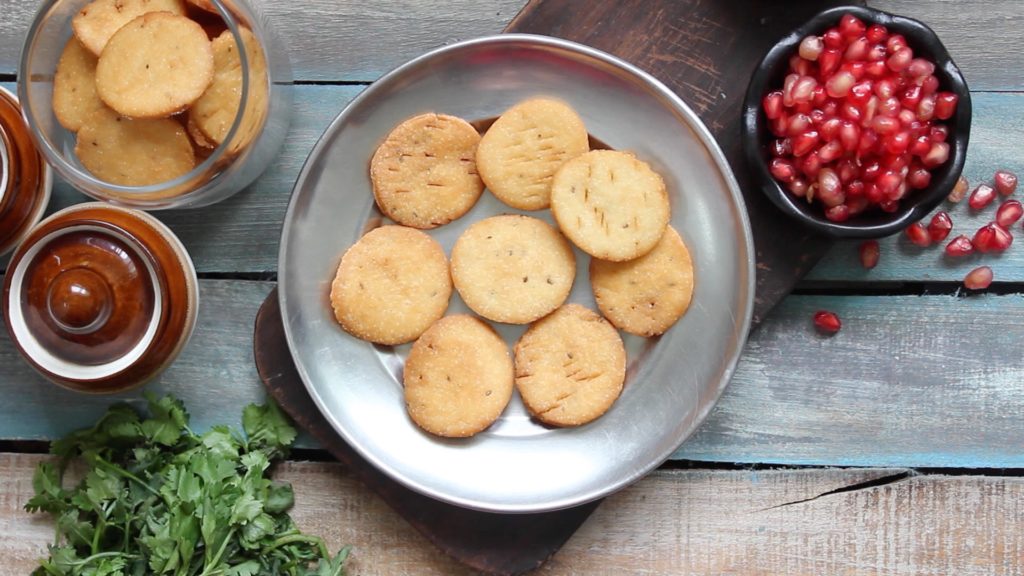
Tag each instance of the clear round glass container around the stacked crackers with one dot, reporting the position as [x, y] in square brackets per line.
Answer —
[243, 156]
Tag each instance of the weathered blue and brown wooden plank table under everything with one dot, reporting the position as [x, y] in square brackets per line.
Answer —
[894, 447]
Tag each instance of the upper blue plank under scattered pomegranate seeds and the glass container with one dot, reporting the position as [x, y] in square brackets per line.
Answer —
[241, 234]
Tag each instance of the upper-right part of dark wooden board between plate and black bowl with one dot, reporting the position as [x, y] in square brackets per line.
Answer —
[705, 51]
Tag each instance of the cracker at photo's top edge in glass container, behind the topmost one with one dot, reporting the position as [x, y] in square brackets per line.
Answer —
[100, 20]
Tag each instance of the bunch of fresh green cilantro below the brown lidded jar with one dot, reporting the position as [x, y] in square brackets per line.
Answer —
[158, 499]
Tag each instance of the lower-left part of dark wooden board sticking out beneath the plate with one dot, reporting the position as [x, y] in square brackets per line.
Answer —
[491, 543]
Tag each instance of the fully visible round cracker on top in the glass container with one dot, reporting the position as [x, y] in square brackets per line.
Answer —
[155, 66]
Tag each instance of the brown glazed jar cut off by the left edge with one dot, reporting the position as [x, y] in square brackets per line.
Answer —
[25, 178]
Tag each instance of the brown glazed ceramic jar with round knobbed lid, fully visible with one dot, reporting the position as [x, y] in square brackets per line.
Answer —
[101, 299]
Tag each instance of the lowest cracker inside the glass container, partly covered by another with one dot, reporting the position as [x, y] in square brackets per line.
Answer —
[134, 152]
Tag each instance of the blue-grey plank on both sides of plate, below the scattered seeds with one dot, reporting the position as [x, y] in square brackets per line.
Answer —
[948, 390]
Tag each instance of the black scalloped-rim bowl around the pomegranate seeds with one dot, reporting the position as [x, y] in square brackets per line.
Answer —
[874, 223]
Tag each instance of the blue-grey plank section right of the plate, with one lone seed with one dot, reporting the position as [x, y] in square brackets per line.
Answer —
[911, 382]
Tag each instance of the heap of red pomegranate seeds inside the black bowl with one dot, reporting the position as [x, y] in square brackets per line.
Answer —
[856, 121]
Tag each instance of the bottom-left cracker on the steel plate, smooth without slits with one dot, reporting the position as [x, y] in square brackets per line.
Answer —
[458, 379]
